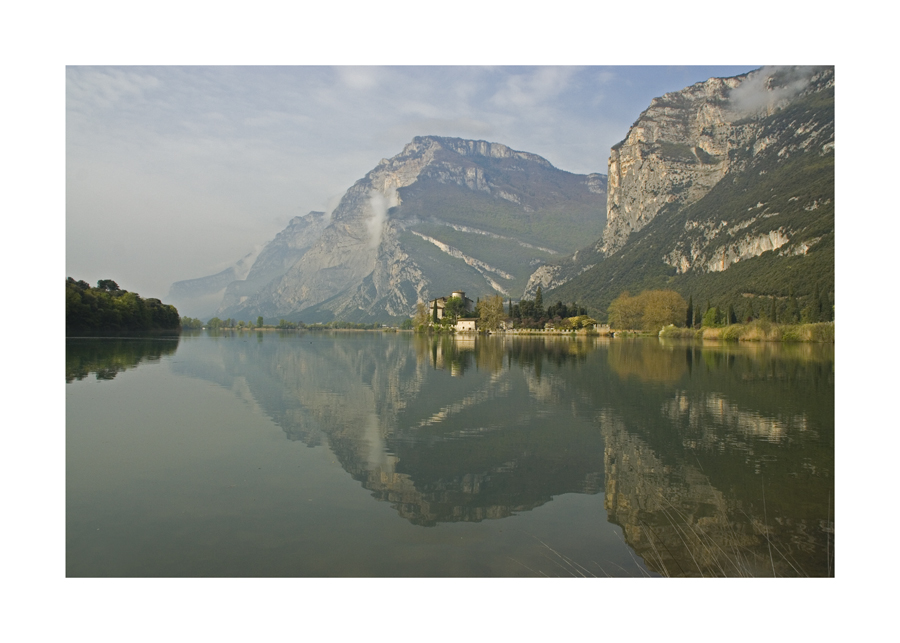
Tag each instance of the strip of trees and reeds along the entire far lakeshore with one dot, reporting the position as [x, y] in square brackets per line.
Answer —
[663, 313]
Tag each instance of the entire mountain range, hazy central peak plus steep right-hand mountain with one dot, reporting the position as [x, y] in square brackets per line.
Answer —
[723, 190]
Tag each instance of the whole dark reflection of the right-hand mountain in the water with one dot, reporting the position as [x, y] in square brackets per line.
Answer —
[729, 470]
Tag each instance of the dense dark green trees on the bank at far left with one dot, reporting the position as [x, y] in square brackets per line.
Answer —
[106, 307]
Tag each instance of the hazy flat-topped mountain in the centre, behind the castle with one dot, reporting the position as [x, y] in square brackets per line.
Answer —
[442, 215]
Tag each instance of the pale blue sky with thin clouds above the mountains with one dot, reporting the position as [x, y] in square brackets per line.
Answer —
[176, 172]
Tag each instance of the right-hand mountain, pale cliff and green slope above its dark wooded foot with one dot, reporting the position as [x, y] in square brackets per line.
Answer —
[716, 174]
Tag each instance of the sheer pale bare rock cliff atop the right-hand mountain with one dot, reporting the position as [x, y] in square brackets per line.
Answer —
[685, 143]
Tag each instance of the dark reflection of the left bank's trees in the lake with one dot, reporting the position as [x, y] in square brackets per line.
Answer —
[106, 357]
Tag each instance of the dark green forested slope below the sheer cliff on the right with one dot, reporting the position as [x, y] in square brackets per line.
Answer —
[761, 240]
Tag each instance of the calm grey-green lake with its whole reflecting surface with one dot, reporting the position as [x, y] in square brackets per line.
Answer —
[369, 454]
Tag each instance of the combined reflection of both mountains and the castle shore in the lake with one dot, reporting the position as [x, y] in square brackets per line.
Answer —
[714, 460]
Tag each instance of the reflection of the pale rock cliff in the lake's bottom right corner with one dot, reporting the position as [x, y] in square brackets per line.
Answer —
[684, 523]
